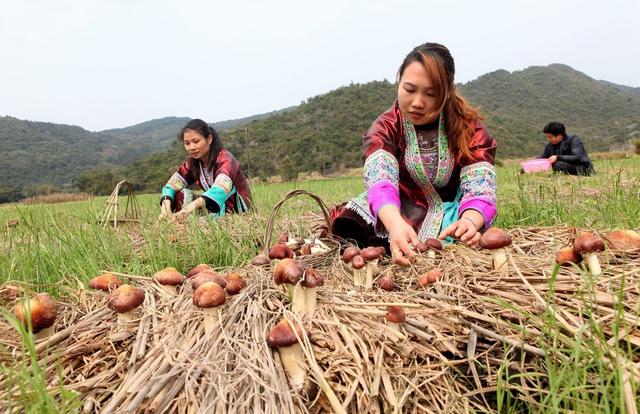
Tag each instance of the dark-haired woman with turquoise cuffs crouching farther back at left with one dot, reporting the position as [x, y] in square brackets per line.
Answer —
[212, 168]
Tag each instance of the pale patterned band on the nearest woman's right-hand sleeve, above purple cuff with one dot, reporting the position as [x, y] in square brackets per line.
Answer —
[478, 181]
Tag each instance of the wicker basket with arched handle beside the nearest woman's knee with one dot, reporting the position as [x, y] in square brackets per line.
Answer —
[314, 260]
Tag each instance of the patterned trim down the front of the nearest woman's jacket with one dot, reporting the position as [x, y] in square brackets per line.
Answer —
[432, 222]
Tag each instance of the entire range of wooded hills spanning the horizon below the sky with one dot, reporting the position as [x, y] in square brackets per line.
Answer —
[324, 133]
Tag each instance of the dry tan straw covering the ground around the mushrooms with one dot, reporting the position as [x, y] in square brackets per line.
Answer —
[461, 334]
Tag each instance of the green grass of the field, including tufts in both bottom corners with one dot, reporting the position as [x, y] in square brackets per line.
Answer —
[51, 244]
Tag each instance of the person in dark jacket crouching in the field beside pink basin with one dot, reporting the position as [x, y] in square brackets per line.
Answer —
[566, 151]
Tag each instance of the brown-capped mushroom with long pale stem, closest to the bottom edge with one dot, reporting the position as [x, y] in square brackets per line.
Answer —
[283, 338]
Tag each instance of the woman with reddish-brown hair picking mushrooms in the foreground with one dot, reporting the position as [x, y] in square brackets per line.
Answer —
[428, 164]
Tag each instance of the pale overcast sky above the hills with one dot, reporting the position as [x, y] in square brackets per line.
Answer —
[111, 64]
